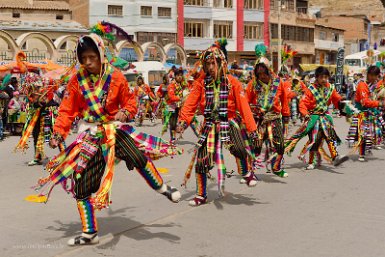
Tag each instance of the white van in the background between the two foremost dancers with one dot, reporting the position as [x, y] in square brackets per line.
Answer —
[151, 71]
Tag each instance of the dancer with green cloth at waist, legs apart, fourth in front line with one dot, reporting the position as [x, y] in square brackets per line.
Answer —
[318, 123]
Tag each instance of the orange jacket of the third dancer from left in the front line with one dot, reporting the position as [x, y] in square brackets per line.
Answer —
[280, 104]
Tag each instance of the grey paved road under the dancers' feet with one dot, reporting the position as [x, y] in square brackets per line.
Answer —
[328, 212]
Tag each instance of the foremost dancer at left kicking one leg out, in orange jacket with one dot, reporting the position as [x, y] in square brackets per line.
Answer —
[100, 93]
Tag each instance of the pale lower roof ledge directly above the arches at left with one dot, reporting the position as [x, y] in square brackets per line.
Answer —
[62, 26]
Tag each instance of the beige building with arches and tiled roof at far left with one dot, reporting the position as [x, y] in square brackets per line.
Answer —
[42, 29]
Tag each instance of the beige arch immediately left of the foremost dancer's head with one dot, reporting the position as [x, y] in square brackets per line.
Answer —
[65, 48]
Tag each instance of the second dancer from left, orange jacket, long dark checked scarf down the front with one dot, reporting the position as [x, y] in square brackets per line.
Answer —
[220, 96]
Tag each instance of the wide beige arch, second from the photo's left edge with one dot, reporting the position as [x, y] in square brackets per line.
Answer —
[37, 46]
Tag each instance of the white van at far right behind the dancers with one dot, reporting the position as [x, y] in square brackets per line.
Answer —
[357, 63]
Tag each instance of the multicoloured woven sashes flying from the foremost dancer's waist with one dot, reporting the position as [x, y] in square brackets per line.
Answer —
[65, 164]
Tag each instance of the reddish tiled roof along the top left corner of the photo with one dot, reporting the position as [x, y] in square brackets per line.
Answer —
[35, 4]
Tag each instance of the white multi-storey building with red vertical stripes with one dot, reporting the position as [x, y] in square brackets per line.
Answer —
[201, 22]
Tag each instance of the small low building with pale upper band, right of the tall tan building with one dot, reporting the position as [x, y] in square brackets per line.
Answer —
[327, 42]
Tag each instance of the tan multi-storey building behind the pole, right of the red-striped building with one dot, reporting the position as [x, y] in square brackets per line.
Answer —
[297, 30]
